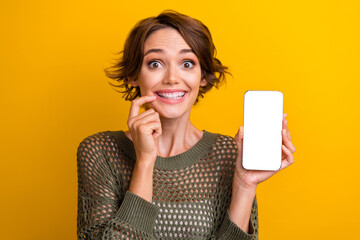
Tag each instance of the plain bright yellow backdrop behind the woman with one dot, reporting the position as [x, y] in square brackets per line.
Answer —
[54, 93]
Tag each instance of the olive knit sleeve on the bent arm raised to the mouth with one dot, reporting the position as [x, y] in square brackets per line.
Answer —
[102, 212]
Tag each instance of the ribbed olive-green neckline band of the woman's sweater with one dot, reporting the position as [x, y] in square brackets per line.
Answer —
[181, 160]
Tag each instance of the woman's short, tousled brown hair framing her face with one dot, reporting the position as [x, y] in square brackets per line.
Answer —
[194, 32]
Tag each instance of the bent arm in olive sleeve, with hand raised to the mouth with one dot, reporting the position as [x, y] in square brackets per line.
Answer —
[99, 217]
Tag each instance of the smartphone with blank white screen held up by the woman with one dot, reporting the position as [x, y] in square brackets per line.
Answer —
[263, 115]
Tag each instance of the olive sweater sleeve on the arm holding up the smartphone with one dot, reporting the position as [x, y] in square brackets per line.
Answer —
[229, 230]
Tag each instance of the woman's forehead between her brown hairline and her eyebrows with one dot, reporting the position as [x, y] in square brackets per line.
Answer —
[166, 38]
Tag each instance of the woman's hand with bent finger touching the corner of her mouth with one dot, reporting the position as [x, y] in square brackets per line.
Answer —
[144, 128]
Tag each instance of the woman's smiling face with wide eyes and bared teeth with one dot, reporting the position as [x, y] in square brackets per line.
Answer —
[171, 71]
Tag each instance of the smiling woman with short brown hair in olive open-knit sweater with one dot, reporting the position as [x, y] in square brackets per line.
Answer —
[164, 178]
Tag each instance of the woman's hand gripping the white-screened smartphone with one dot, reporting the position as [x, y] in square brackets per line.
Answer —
[249, 179]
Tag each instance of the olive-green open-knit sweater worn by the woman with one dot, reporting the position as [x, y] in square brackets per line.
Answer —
[191, 191]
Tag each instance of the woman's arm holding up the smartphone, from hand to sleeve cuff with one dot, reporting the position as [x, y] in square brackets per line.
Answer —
[244, 188]
